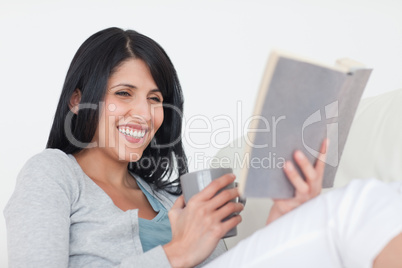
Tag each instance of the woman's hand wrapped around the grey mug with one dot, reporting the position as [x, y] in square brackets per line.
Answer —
[198, 227]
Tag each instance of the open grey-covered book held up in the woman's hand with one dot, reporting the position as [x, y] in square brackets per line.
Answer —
[300, 103]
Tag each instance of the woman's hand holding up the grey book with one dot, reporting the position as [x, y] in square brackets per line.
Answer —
[304, 189]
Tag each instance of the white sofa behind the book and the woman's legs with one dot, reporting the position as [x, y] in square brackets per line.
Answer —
[373, 149]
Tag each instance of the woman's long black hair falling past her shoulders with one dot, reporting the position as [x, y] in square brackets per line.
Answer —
[96, 59]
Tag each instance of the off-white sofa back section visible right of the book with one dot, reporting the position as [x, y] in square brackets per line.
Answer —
[374, 144]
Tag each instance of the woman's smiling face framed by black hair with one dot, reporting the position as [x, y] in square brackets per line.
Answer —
[132, 112]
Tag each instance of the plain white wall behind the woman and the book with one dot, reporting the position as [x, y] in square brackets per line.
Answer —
[219, 49]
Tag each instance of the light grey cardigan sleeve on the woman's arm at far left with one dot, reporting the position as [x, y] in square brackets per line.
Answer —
[38, 219]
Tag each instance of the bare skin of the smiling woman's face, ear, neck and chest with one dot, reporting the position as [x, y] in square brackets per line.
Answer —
[130, 116]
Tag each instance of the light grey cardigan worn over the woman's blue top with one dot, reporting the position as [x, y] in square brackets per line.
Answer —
[58, 217]
